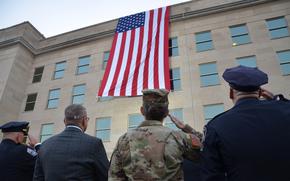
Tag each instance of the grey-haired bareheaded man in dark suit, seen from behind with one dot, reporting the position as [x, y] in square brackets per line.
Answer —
[72, 154]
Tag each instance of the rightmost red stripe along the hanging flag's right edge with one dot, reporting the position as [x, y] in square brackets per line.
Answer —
[166, 59]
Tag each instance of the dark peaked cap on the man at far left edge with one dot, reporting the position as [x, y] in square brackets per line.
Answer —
[15, 126]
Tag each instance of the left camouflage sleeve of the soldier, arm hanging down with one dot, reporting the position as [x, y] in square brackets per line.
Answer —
[116, 171]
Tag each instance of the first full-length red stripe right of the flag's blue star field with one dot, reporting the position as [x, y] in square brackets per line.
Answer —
[149, 44]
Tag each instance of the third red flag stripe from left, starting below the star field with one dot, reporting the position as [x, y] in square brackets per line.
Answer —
[126, 74]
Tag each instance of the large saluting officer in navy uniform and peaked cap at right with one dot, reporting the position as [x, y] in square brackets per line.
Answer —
[249, 142]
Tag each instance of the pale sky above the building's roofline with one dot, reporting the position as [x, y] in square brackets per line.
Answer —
[53, 17]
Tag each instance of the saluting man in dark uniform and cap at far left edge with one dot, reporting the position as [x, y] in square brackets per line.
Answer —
[16, 159]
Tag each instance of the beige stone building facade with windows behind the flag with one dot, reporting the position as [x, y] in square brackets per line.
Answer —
[40, 76]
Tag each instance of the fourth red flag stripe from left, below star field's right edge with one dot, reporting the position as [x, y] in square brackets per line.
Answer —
[138, 61]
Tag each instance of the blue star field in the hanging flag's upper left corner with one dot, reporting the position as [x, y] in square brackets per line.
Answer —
[130, 22]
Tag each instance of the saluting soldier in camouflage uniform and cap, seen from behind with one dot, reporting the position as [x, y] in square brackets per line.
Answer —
[152, 151]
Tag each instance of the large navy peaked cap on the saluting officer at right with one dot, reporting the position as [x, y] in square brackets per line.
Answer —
[245, 79]
